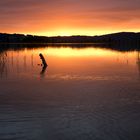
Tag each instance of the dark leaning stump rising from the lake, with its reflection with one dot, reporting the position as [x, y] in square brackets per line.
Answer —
[44, 65]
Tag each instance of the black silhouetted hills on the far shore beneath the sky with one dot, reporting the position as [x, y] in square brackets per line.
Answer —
[109, 38]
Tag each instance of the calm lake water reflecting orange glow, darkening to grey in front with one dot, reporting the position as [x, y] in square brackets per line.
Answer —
[84, 94]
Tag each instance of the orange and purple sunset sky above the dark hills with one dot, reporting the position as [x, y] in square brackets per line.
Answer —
[69, 17]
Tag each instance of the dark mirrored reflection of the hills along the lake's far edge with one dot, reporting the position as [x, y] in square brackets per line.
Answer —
[124, 47]
